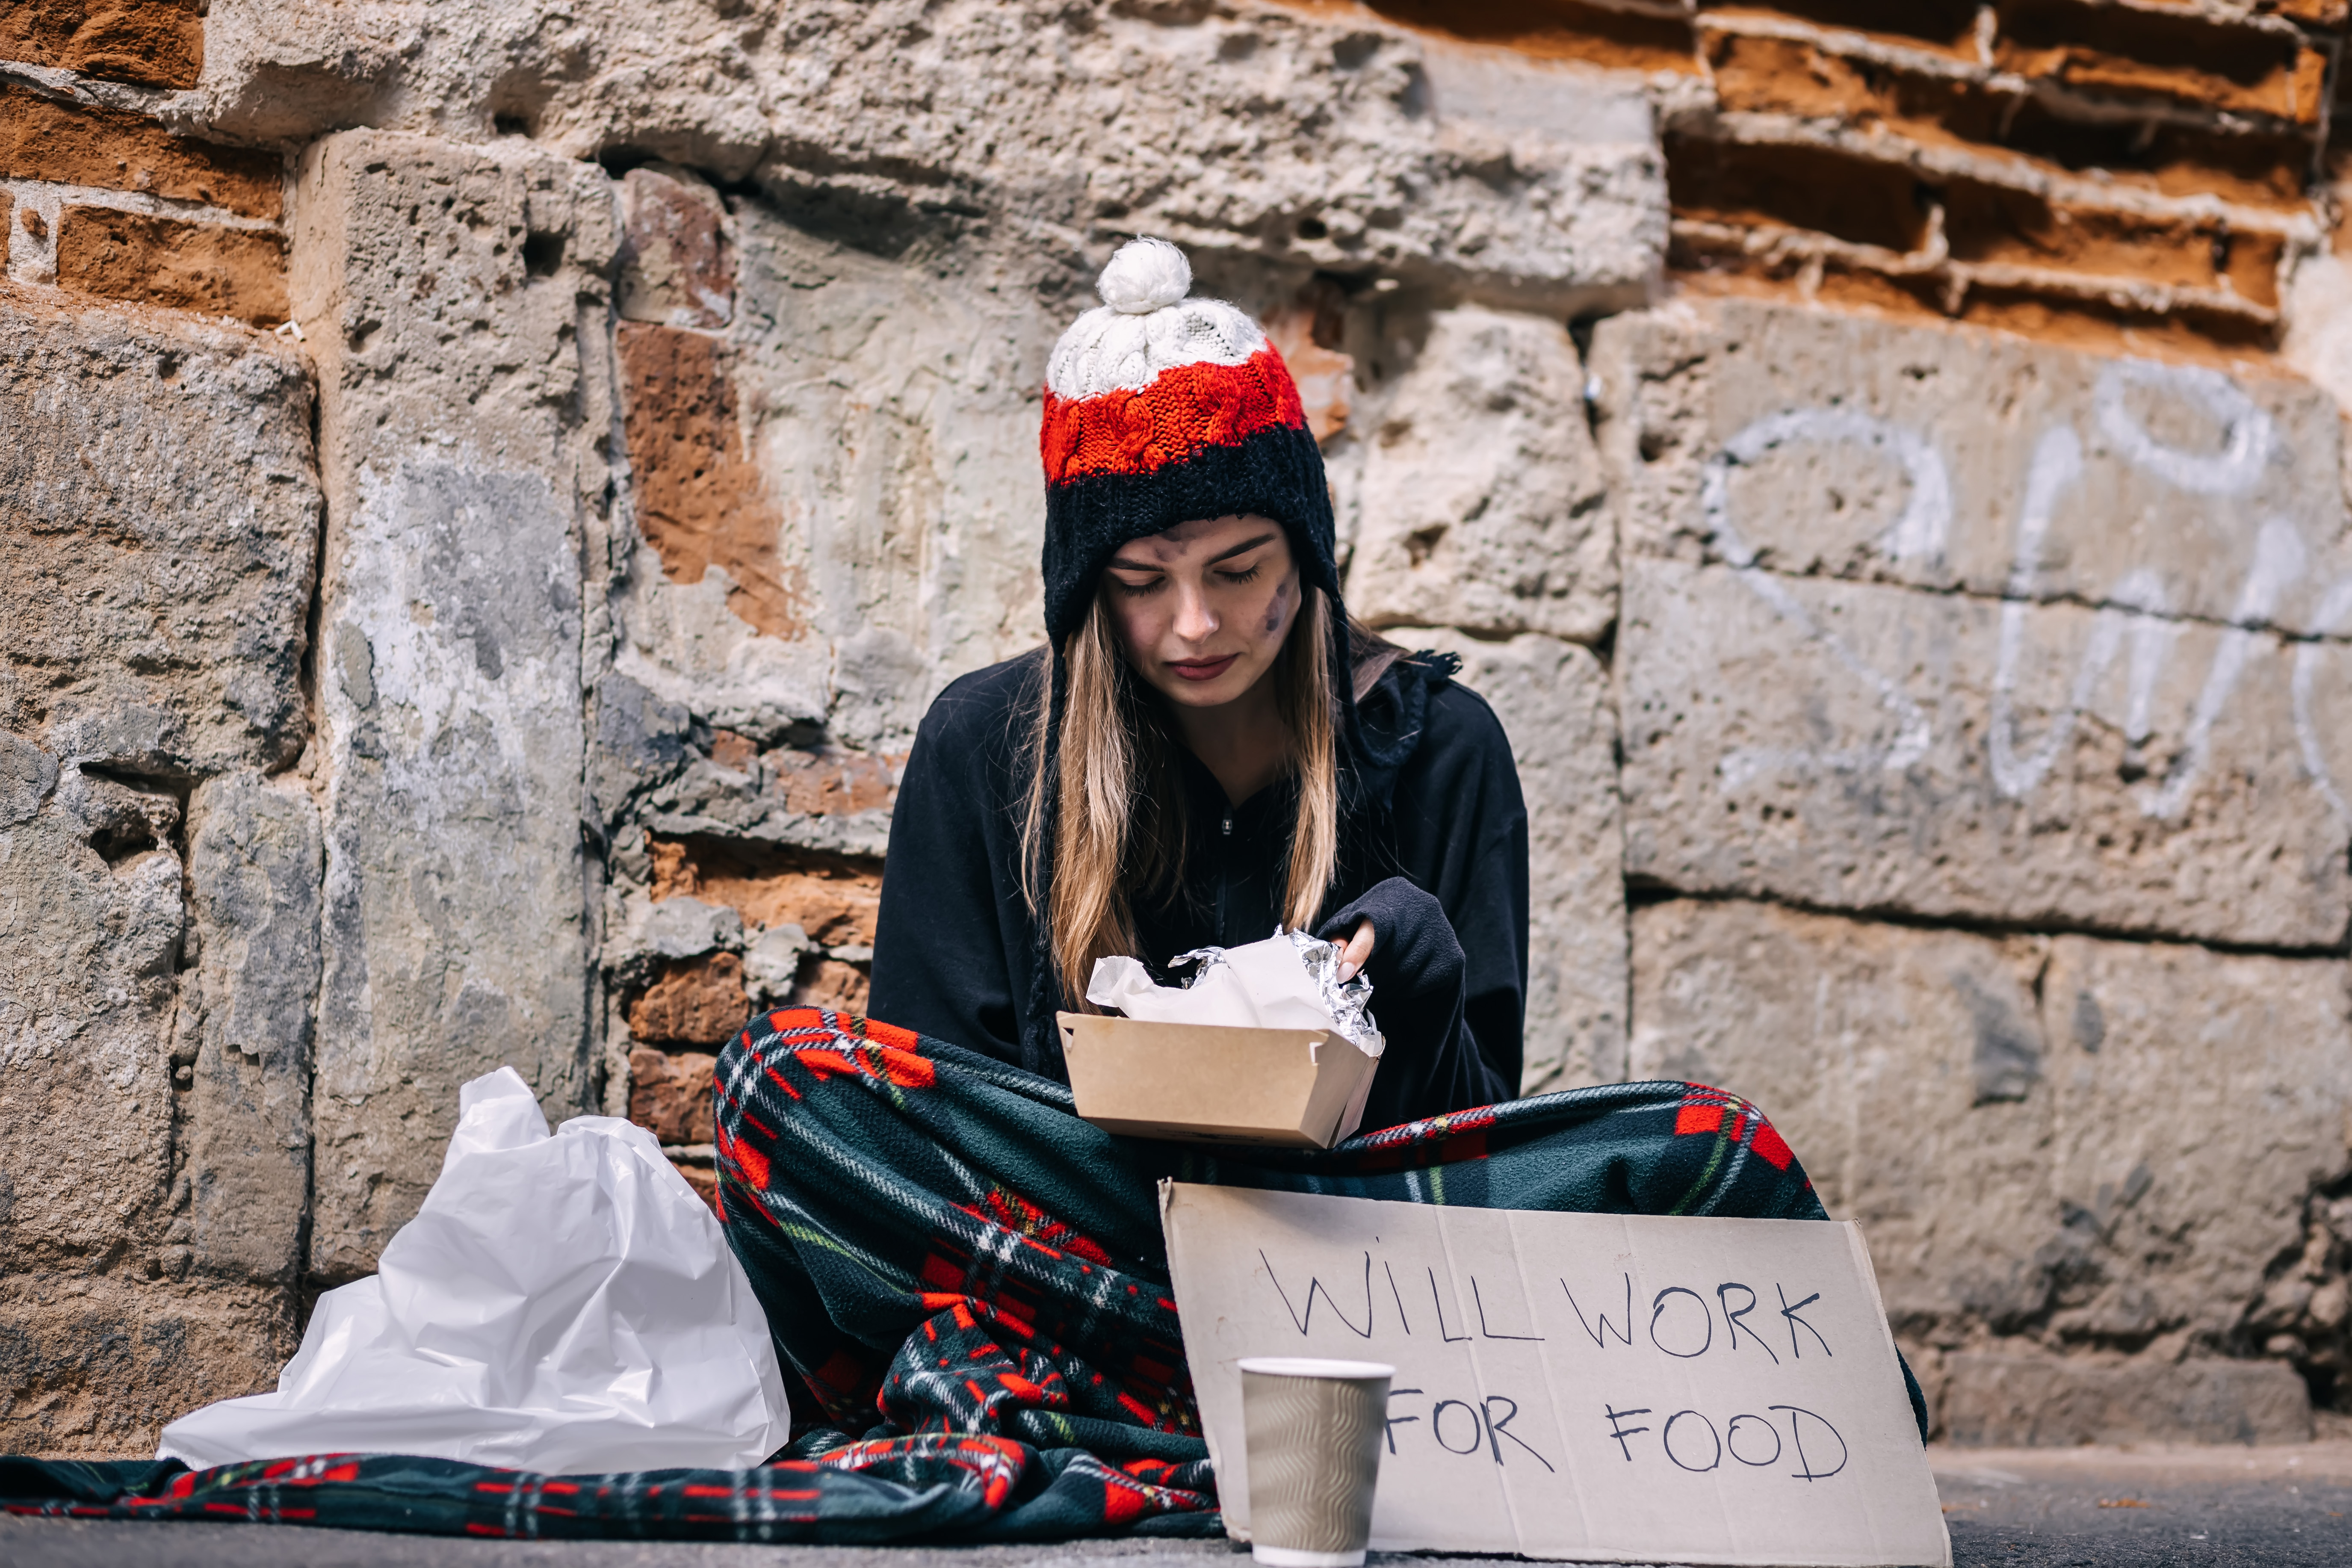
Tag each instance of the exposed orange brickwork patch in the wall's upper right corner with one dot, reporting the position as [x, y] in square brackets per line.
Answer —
[2099, 170]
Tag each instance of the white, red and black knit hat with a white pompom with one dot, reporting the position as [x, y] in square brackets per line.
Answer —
[1163, 410]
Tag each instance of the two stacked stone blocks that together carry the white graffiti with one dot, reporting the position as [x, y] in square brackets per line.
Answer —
[1883, 648]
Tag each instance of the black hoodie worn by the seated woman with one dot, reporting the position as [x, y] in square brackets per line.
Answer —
[1434, 852]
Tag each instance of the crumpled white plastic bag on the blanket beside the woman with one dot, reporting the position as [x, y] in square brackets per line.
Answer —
[559, 1304]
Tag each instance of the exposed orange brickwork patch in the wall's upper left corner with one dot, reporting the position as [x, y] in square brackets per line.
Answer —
[102, 196]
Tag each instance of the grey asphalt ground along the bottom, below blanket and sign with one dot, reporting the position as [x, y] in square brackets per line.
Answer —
[2029, 1508]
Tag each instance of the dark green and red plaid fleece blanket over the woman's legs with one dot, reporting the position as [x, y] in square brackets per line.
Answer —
[973, 1292]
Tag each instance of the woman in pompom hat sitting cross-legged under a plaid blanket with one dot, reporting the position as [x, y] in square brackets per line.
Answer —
[951, 1261]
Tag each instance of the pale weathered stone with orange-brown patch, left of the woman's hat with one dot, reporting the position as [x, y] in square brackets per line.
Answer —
[878, 457]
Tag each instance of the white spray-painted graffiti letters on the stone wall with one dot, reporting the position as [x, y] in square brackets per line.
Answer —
[2134, 608]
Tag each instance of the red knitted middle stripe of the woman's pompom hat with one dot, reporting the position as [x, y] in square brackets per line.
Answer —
[1182, 413]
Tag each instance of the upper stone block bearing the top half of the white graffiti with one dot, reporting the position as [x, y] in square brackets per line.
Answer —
[1819, 443]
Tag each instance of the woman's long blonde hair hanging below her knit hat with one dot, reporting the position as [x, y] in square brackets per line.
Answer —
[1118, 808]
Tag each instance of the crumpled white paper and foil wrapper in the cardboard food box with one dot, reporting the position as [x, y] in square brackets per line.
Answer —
[1290, 981]
